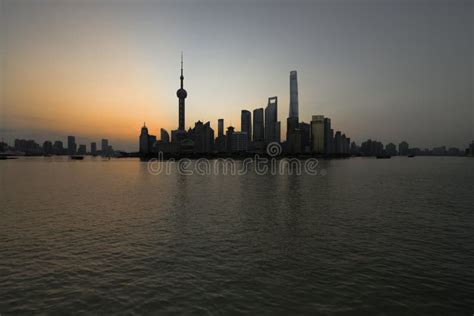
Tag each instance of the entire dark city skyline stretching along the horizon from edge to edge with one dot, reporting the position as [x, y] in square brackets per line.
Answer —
[259, 128]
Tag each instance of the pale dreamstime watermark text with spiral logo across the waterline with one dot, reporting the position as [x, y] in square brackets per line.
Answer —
[260, 165]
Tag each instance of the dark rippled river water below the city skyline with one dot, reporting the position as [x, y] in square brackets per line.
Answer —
[373, 236]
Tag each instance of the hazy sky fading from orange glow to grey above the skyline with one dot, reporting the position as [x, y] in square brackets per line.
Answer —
[389, 70]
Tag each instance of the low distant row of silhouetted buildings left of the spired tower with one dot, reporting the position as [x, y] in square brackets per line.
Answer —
[30, 147]
